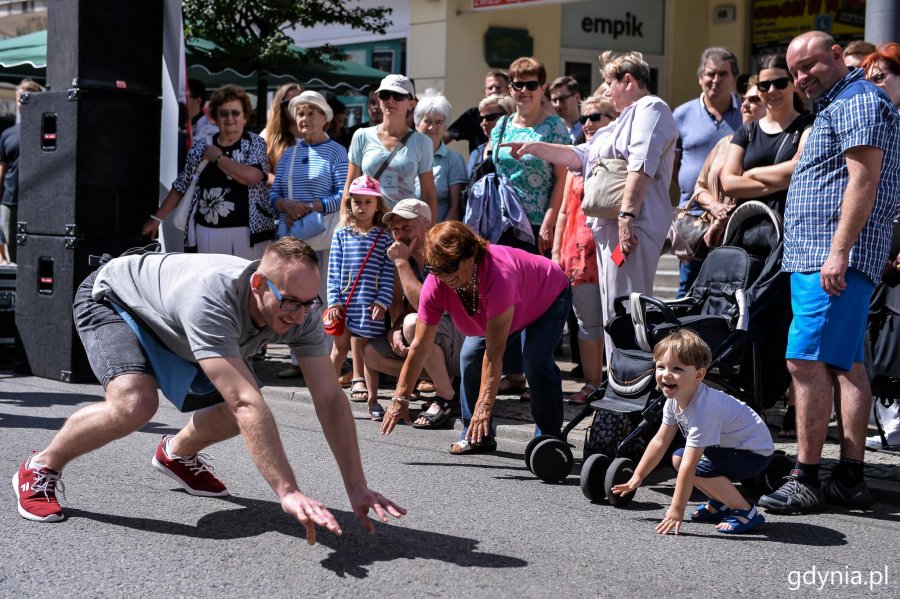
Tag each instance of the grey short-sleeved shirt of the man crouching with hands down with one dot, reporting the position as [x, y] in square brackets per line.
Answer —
[198, 305]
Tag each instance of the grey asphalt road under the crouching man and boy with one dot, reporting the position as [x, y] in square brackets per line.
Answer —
[477, 526]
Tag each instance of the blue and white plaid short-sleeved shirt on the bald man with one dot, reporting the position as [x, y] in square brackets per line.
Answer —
[852, 113]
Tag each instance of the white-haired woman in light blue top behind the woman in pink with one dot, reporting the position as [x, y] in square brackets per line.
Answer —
[431, 116]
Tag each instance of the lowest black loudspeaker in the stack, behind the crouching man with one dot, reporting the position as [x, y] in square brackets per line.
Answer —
[50, 269]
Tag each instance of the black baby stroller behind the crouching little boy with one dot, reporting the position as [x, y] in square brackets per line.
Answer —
[739, 305]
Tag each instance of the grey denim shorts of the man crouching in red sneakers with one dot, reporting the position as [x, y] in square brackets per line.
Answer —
[111, 346]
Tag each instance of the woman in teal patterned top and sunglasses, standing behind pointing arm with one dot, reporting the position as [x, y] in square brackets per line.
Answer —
[537, 183]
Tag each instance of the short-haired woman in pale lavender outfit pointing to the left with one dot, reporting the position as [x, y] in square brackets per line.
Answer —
[644, 136]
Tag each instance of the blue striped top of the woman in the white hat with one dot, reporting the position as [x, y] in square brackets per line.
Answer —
[319, 173]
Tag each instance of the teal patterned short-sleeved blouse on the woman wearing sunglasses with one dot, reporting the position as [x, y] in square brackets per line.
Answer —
[531, 178]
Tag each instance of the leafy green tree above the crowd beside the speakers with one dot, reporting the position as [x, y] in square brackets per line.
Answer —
[256, 31]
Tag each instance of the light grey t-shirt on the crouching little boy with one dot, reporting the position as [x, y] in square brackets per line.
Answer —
[716, 419]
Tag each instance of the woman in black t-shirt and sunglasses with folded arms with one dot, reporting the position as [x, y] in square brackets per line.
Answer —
[763, 154]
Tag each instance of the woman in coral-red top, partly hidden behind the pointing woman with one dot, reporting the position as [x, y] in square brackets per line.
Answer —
[575, 251]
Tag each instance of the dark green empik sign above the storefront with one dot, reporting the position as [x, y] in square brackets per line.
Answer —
[633, 25]
